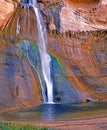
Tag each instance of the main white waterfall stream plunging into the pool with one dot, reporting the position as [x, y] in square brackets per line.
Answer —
[44, 56]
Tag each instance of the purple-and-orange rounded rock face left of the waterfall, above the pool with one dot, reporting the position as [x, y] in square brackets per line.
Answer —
[18, 85]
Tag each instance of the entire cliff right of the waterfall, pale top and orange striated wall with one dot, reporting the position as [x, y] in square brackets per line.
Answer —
[77, 35]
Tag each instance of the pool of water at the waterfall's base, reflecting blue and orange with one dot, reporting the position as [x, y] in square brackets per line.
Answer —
[55, 112]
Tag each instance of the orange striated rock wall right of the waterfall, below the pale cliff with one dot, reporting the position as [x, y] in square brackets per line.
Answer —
[84, 59]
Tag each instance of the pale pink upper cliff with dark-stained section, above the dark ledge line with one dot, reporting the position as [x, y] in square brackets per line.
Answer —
[77, 15]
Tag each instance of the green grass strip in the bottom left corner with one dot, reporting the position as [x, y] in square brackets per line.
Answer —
[19, 126]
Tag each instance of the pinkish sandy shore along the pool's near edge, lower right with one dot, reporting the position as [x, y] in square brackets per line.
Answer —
[84, 124]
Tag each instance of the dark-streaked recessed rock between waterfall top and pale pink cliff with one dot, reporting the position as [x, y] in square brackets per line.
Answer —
[51, 12]
